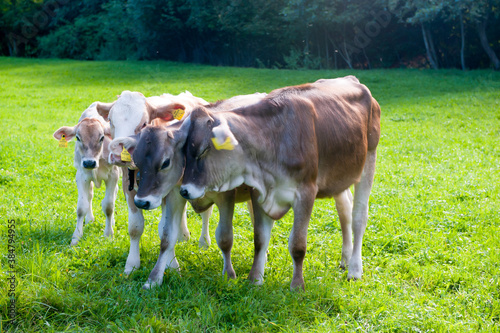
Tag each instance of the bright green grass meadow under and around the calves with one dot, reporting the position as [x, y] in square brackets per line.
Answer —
[431, 250]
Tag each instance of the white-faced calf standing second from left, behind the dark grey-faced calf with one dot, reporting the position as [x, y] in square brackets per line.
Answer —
[128, 115]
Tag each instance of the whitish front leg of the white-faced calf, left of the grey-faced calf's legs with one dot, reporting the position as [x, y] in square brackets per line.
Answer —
[135, 230]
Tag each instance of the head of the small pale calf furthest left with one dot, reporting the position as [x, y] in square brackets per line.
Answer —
[90, 134]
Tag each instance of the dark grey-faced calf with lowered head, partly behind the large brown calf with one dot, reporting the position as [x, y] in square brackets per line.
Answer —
[158, 154]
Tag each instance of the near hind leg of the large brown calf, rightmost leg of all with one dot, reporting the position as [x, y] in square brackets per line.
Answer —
[360, 214]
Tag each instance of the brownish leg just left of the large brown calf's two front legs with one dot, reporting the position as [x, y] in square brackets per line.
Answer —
[224, 232]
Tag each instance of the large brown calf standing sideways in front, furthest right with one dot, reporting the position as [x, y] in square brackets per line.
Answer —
[298, 144]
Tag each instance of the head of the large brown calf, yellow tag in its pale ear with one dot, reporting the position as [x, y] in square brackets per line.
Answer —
[214, 158]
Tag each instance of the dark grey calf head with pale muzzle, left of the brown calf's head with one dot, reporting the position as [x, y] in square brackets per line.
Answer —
[157, 152]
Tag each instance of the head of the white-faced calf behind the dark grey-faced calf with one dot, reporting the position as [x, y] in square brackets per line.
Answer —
[131, 112]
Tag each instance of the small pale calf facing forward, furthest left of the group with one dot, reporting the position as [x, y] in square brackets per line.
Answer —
[92, 167]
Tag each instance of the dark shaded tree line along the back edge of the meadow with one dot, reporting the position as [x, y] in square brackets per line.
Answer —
[331, 34]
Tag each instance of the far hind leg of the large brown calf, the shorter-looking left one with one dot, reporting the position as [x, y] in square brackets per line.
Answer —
[343, 202]
